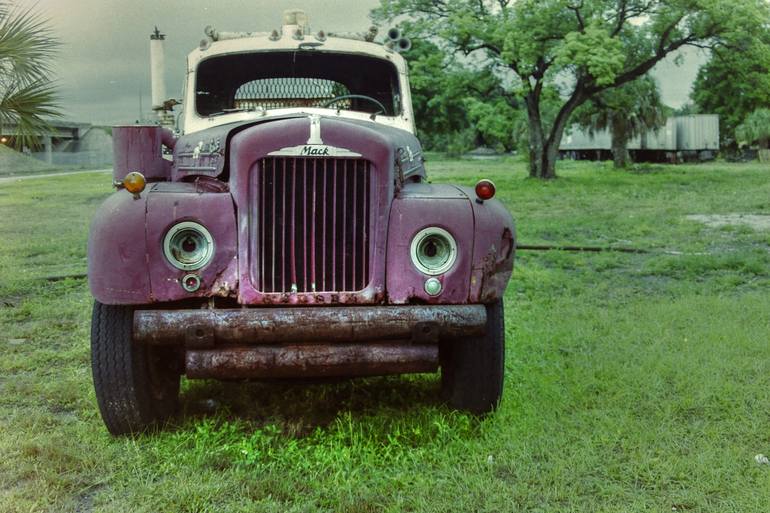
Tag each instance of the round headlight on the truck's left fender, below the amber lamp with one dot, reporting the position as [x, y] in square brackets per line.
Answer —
[188, 246]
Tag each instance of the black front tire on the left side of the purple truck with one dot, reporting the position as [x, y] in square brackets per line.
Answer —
[137, 386]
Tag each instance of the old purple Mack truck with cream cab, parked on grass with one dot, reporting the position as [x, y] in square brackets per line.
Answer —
[287, 229]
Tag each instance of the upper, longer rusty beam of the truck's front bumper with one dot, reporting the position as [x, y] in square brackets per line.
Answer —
[423, 323]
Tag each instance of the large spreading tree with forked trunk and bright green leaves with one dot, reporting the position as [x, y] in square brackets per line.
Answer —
[583, 47]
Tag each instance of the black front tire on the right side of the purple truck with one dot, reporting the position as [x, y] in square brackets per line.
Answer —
[472, 369]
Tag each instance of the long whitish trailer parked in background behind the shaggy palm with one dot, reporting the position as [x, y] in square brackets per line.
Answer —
[694, 137]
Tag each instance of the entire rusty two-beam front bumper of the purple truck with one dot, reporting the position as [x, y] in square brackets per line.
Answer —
[309, 341]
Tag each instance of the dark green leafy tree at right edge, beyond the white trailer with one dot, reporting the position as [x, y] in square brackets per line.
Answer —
[735, 82]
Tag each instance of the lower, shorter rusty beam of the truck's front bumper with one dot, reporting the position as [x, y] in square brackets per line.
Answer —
[311, 361]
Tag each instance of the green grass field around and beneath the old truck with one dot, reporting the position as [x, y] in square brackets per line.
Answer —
[635, 382]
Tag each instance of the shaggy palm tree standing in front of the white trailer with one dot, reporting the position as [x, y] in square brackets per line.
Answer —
[626, 111]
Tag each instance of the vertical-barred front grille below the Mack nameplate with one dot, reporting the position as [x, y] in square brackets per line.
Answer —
[313, 223]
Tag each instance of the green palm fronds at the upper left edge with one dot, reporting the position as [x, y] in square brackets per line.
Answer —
[27, 94]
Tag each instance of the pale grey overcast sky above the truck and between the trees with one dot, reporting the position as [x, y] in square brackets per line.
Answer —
[103, 69]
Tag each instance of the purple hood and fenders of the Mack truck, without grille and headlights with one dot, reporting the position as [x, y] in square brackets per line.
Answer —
[218, 189]
